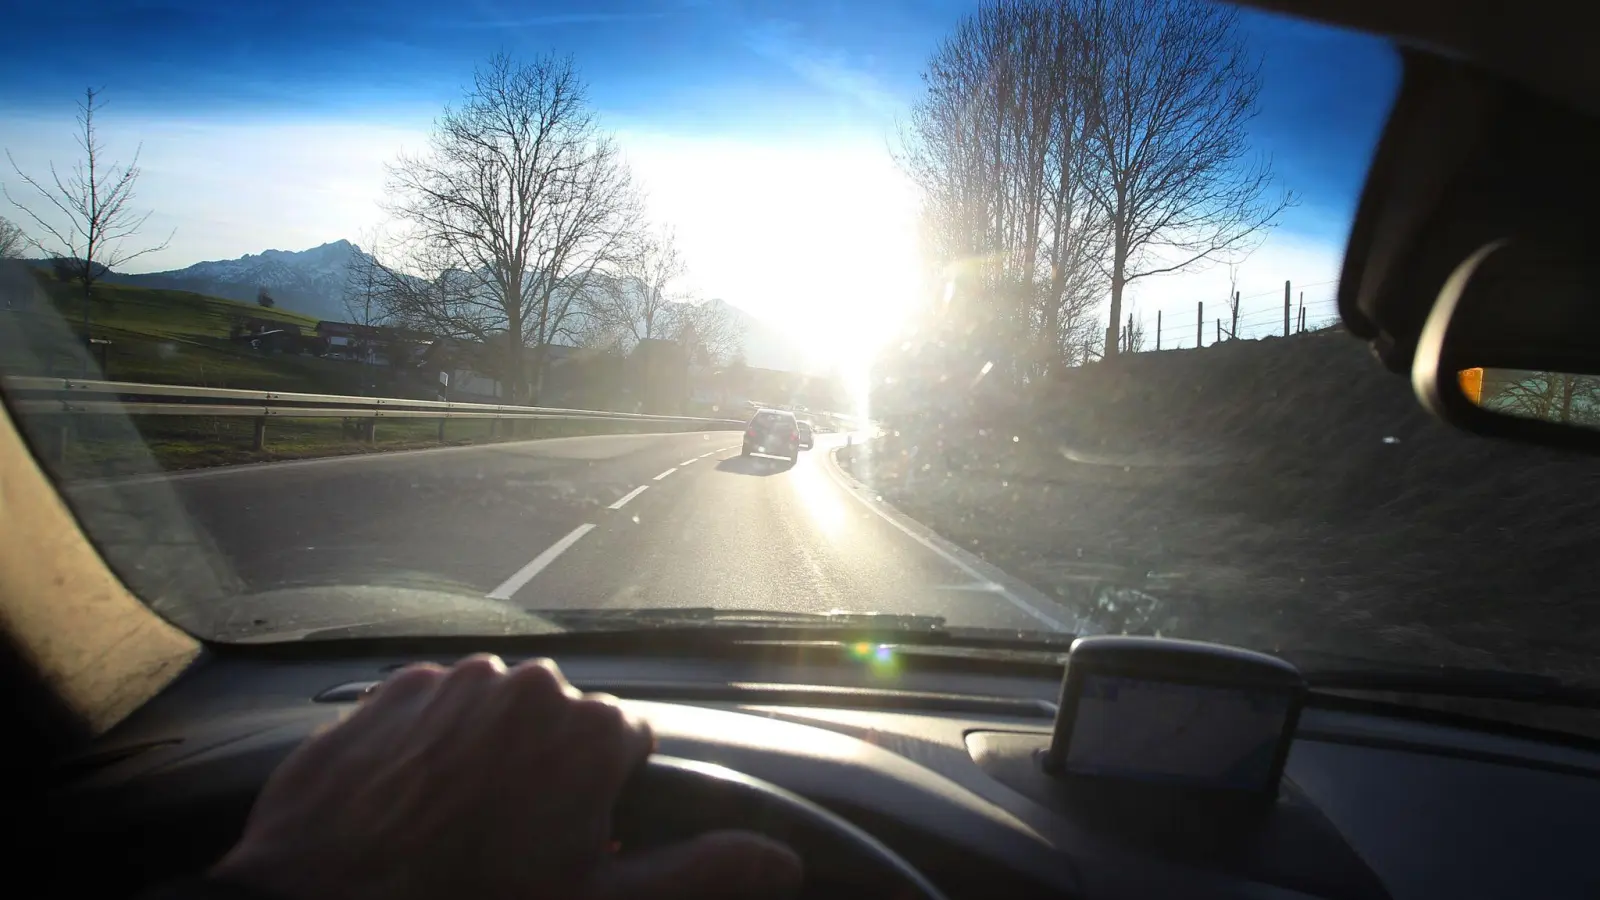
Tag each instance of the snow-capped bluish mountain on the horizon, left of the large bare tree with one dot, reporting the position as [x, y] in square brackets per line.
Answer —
[308, 281]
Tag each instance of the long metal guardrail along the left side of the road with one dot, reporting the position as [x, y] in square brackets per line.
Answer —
[71, 398]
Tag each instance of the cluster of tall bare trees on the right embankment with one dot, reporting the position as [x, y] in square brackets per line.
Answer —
[1066, 150]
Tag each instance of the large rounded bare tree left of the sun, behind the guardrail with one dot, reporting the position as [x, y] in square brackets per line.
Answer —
[516, 215]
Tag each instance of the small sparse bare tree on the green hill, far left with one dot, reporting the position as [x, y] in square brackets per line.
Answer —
[86, 217]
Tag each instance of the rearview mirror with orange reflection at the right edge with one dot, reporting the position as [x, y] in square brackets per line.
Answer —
[1513, 345]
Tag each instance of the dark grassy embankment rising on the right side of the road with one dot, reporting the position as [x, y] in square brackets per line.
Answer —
[1278, 494]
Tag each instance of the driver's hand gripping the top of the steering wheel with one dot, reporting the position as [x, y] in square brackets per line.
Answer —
[479, 782]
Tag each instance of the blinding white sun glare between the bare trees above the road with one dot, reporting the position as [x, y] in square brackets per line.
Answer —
[817, 238]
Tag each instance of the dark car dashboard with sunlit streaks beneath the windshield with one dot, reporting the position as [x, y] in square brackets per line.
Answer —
[937, 761]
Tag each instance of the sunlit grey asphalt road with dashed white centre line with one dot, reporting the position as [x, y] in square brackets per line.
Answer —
[615, 521]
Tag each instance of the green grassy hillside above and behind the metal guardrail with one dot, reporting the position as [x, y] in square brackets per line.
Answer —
[156, 335]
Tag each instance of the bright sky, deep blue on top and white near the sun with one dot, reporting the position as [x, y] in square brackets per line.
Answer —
[761, 132]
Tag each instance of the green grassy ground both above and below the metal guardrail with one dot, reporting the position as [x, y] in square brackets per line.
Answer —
[172, 337]
